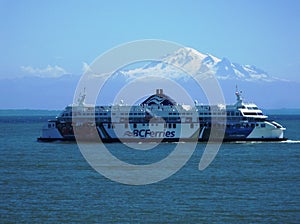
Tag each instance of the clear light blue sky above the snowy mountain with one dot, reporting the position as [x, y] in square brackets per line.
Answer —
[60, 36]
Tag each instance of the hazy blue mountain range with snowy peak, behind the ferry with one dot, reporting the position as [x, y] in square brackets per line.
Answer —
[257, 85]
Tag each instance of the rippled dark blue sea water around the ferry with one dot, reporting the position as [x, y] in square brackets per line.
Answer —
[53, 183]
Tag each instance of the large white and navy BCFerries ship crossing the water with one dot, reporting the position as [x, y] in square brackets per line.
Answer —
[159, 118]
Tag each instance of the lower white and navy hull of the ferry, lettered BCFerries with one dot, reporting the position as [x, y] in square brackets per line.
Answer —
[157, 133]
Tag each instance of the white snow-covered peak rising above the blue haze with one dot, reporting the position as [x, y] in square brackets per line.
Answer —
[205, 65]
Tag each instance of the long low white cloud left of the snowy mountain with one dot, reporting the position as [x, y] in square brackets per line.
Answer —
[48, 72]
